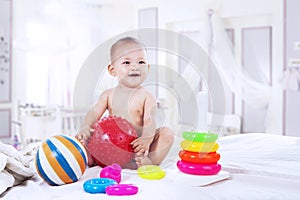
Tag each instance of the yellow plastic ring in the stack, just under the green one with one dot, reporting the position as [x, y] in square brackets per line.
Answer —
[199, 146]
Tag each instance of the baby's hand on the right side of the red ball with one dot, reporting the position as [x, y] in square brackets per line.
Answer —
[141, 145]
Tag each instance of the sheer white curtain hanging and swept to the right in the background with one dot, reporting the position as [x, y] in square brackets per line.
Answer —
[253, 92]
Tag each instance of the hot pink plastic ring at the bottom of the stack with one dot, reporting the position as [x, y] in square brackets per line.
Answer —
[198, 169]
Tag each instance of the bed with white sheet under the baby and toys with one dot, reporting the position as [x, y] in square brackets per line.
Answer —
[258, 165]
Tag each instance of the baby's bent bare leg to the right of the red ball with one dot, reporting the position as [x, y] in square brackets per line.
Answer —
[159, 148]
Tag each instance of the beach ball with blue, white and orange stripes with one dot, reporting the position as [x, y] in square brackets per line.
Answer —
[60, 160]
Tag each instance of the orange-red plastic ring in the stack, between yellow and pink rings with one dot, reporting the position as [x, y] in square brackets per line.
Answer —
[199, 157]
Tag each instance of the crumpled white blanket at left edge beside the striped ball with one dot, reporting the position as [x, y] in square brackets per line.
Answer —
[15, 166]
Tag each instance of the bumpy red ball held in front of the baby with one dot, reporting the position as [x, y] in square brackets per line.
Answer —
[110, 142]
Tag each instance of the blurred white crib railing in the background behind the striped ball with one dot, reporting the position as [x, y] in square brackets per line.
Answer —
[38, 123]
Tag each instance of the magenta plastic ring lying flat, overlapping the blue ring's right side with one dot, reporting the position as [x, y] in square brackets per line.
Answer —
[121, 190]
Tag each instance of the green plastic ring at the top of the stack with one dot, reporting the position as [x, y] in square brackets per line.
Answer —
[199, 137]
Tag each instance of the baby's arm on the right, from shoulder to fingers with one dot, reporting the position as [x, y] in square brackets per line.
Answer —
[142, 144]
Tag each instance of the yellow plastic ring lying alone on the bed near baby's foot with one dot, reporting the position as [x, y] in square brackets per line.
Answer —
[151, 172]
